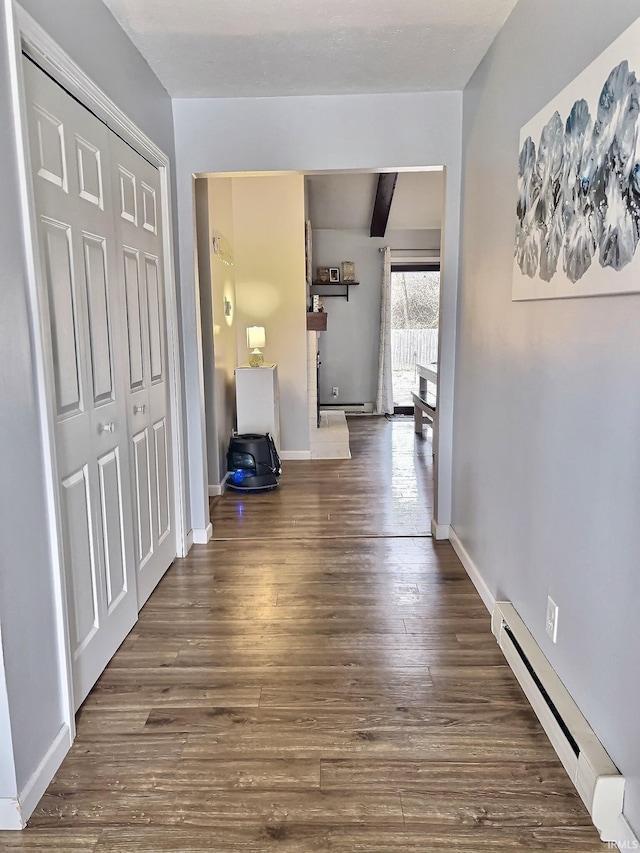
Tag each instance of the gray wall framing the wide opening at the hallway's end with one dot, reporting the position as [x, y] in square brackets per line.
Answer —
[271, 134]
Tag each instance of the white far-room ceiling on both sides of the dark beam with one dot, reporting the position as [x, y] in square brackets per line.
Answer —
[345, 201]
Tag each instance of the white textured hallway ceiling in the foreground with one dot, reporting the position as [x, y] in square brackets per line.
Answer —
[247, 48]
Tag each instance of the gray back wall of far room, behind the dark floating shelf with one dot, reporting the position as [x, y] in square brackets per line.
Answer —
[349, 348]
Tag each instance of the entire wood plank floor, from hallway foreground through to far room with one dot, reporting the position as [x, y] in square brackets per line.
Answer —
[320, 678]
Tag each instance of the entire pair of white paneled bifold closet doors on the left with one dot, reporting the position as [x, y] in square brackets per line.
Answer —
[96, 200]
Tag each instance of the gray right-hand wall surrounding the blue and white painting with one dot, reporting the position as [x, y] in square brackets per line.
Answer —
[547, 419]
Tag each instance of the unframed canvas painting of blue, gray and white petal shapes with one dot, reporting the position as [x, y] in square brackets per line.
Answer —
[578, 209]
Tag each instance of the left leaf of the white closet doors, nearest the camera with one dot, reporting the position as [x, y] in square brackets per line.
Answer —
[70, 161]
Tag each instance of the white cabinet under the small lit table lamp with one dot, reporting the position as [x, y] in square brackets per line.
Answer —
[257, 403]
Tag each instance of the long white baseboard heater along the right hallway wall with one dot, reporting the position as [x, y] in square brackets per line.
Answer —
[595, 776]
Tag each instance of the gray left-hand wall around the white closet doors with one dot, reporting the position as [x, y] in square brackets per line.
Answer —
[88, 32]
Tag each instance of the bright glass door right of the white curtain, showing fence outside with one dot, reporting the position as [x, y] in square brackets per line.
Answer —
[415, 310]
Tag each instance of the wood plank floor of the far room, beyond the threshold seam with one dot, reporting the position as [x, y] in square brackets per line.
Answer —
[386, 489]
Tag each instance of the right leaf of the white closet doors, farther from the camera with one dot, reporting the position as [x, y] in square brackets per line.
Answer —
[136, 190]
